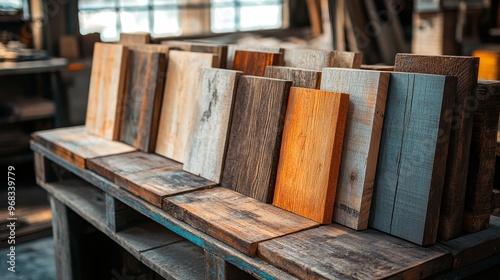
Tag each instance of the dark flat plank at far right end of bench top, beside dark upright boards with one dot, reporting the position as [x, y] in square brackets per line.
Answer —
[474, 247]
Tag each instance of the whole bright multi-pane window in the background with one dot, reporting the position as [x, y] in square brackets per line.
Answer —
[164, 18]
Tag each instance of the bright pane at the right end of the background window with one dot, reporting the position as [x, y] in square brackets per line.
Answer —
[260, 17]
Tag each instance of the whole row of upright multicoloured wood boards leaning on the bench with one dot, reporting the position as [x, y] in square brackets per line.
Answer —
[305, 140]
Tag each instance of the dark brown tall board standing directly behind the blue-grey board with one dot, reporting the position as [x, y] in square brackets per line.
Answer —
[465, 69]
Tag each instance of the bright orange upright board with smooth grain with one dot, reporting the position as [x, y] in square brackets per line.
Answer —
[312, 143]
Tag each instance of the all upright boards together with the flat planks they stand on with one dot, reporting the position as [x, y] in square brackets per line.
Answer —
[287, 141]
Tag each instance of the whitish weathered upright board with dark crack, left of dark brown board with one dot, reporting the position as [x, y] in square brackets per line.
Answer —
[208, 147]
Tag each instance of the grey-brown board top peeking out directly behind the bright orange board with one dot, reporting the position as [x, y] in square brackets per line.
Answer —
[299, 77]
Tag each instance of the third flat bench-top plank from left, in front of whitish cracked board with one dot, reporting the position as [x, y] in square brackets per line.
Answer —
[156, 184]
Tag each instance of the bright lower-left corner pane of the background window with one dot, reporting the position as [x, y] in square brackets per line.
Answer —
[103, 22]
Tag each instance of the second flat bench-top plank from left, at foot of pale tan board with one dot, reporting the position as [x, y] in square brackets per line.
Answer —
[111, 167]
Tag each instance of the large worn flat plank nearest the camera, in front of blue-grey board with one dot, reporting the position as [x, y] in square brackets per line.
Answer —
[336, 252]
